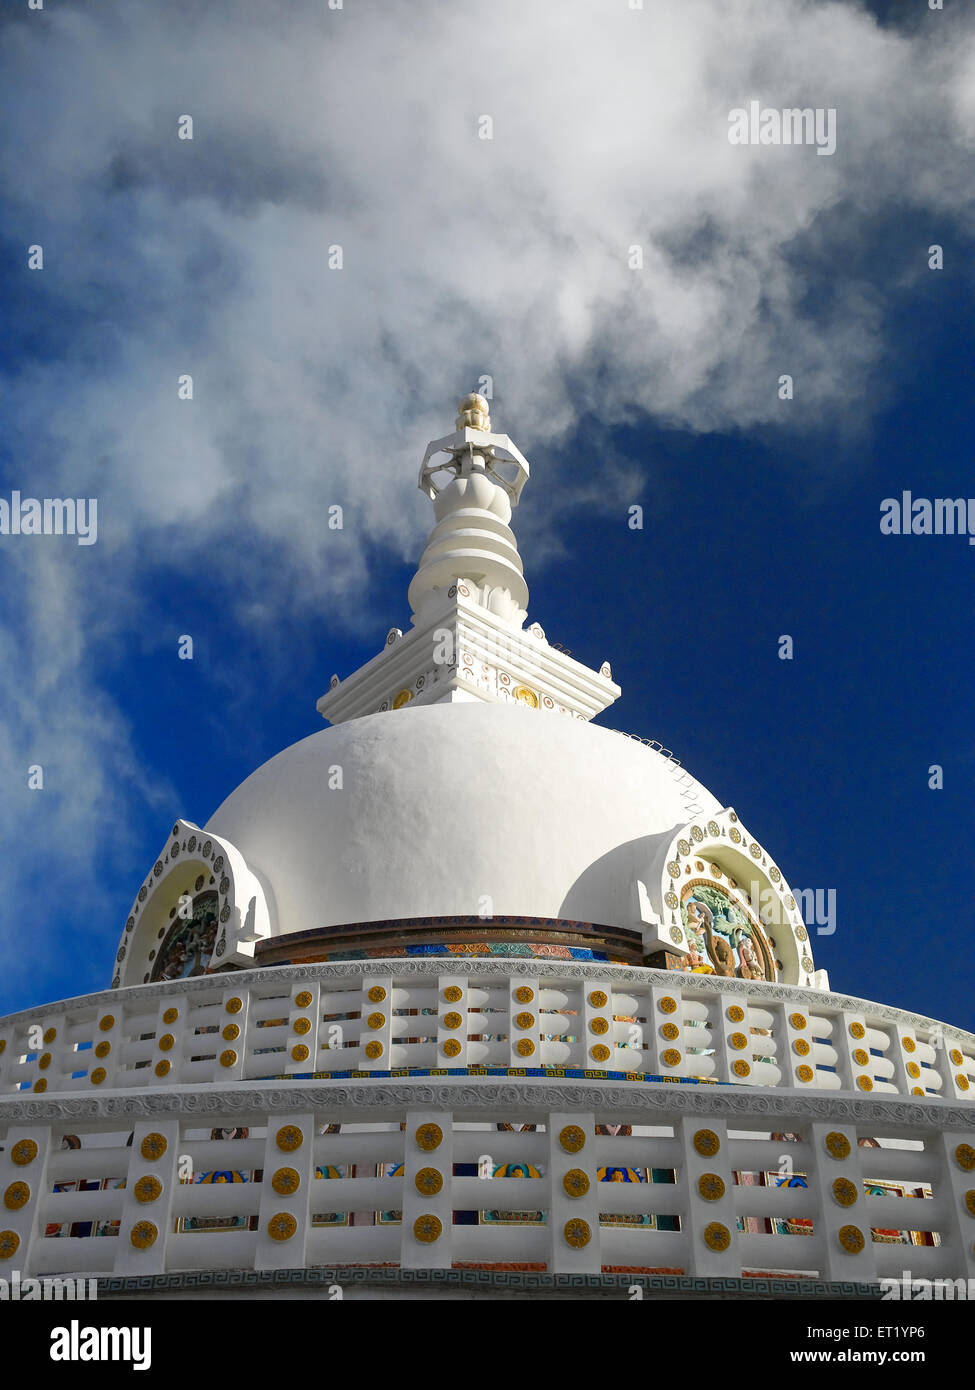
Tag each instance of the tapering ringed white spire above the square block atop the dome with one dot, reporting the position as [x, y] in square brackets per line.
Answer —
[475, 479]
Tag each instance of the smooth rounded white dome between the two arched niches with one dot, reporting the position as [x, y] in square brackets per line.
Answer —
[457, 810]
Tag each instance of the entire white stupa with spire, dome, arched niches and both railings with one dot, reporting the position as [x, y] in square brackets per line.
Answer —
[465, 933]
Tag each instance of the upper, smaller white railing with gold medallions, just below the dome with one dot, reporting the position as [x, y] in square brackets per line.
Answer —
[405, 1017]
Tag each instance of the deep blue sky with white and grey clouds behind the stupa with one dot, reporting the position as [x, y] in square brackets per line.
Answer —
[461, 258]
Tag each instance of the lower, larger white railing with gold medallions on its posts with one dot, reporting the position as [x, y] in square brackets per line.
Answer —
[392, 1174]
